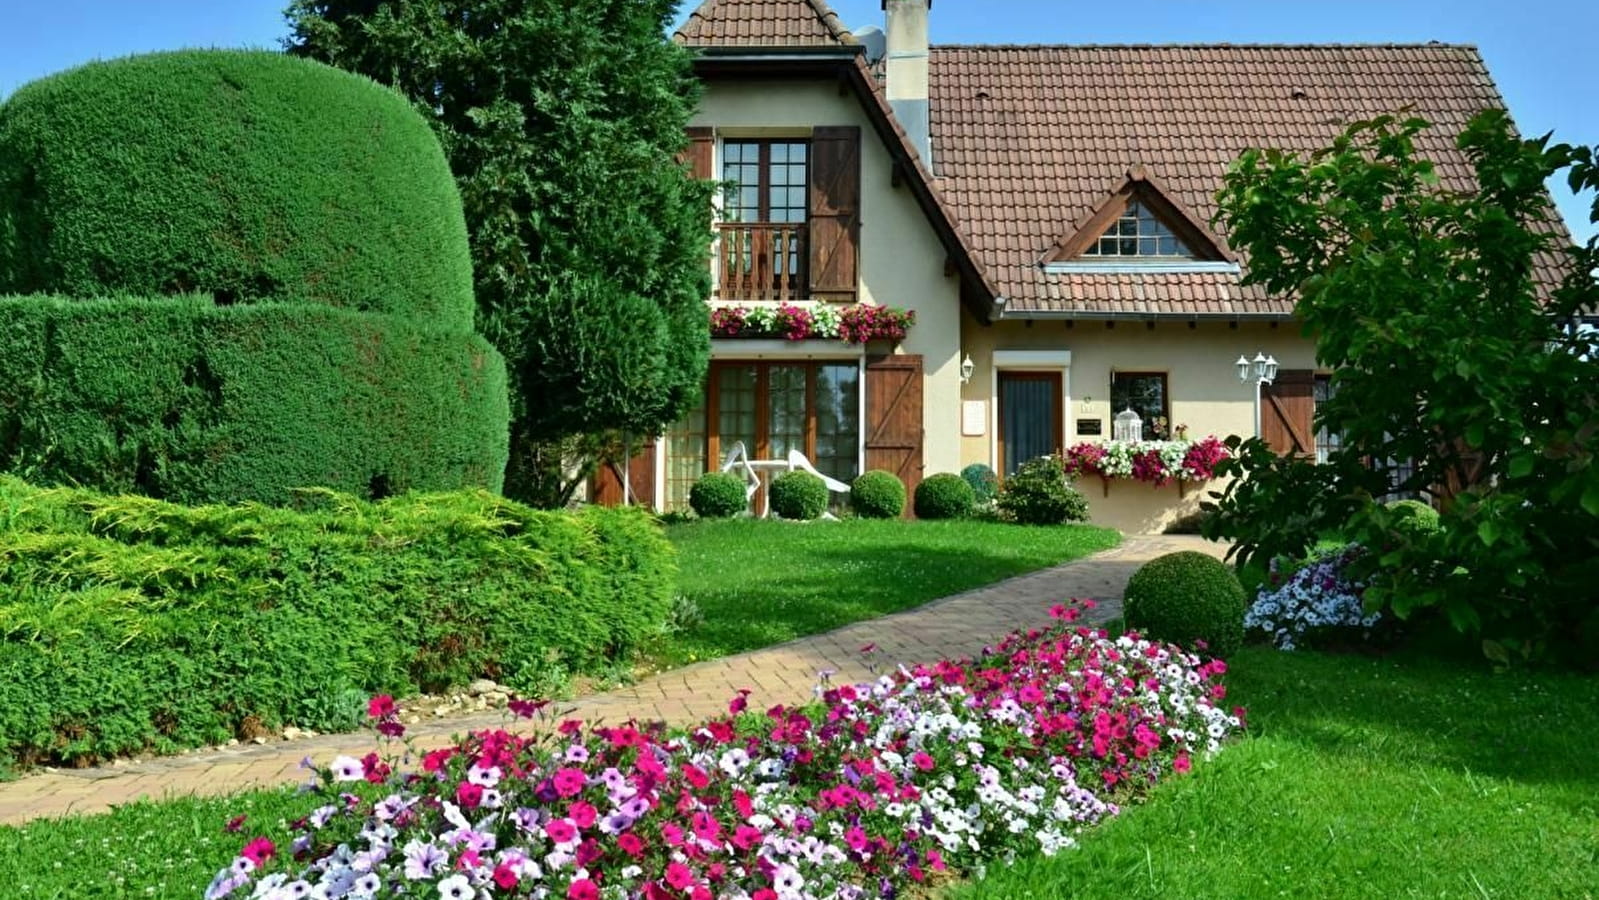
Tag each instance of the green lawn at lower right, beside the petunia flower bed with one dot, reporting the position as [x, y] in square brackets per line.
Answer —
[1402, 778]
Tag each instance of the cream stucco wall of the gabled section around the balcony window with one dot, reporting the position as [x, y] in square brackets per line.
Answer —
[901, 257]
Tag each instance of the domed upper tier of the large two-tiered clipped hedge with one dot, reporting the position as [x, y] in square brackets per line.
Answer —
[245, 175]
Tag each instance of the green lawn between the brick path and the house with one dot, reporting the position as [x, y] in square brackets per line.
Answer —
[765, 583]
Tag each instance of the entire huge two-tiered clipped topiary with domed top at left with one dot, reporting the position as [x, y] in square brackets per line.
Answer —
[295, 287]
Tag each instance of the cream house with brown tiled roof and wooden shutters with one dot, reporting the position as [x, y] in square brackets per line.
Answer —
[1047, 213]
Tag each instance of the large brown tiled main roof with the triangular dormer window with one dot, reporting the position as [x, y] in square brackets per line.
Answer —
[1032, 140]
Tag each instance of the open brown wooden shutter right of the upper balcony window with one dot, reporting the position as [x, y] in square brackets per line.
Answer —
[835, 212]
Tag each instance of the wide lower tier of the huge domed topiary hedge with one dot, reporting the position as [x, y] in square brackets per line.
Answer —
[189, 402]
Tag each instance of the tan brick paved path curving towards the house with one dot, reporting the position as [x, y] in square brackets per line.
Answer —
[786, 674]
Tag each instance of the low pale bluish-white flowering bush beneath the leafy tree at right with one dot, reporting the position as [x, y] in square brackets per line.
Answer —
[1312, 602]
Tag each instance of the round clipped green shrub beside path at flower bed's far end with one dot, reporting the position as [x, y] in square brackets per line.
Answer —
[1186, 599]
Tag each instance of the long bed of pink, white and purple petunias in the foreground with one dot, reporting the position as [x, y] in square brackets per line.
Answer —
[859, 795]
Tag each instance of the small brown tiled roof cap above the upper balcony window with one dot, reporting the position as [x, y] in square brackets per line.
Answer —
[765, 23]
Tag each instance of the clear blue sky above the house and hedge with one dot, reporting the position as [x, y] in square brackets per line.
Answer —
[1542, 55]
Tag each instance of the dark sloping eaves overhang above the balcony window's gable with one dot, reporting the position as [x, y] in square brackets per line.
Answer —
[850, 68]
